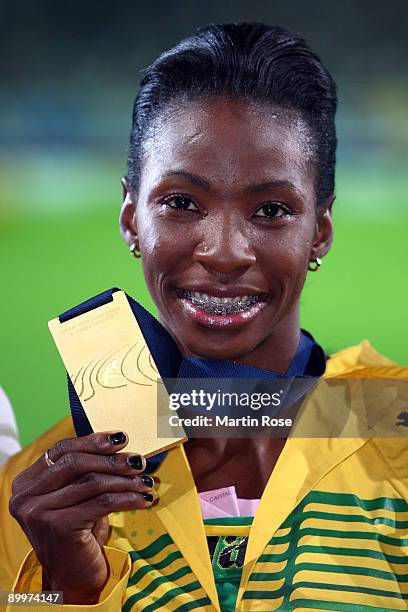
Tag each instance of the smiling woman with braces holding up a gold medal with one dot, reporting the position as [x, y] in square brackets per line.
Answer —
[228, 201]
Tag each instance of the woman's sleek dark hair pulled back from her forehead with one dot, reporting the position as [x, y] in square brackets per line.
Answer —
[250, 61]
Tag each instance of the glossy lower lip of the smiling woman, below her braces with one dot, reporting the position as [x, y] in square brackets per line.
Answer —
[221, 321]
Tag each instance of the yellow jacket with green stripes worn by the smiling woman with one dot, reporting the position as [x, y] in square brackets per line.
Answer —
[331, 531]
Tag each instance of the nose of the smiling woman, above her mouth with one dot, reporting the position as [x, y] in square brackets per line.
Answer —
[224, 249]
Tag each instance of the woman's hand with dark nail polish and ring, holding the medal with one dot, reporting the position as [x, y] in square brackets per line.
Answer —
[63, 509]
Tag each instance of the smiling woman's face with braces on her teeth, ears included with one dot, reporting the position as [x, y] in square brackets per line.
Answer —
[226, 222]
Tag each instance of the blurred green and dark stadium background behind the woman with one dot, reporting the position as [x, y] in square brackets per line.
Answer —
[69, 75]
